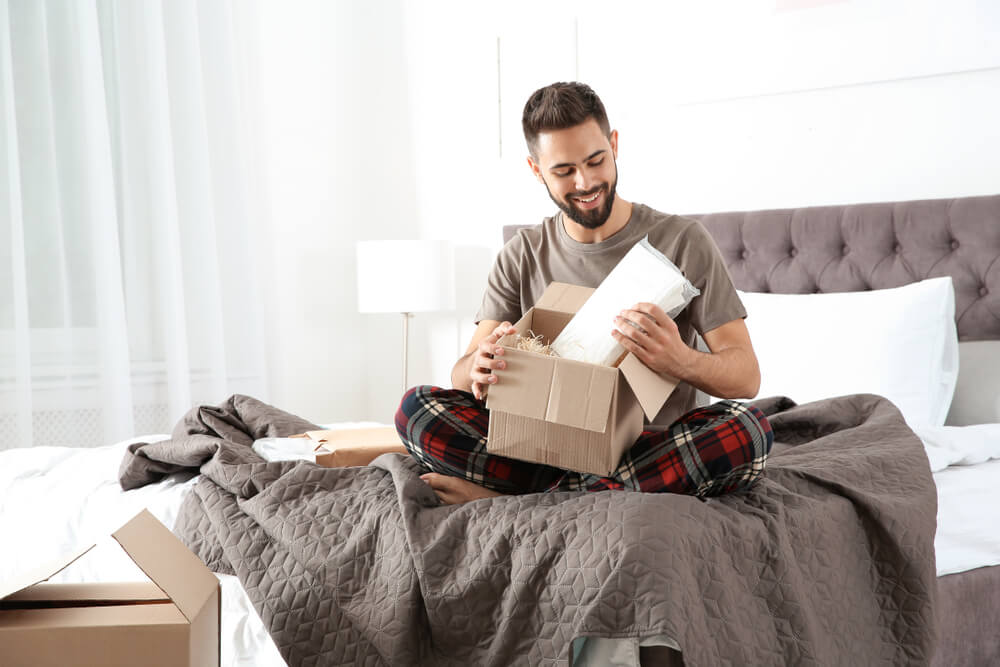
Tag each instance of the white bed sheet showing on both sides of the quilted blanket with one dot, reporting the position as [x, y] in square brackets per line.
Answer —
[54, 500]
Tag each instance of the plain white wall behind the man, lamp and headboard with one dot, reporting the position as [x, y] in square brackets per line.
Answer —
[402, 120]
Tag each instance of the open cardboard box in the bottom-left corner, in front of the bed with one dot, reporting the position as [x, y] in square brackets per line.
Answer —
[172, 620]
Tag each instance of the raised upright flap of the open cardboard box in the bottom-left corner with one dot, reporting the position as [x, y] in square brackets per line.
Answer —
[165, 560]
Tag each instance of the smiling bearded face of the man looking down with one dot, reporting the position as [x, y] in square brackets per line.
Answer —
[577, 166]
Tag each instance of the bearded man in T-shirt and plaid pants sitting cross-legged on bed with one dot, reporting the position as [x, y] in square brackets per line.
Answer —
[705, 451]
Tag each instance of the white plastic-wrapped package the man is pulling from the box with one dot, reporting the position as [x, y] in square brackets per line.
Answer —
[643, 275]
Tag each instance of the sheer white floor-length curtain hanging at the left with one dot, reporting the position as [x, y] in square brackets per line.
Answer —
[130, 216]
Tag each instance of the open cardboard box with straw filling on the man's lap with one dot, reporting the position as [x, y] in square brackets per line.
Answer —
[566, 413]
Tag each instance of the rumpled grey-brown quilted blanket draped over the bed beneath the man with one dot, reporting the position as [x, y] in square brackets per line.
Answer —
[828, 560]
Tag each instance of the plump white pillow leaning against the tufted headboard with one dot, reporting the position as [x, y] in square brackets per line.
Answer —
[900, 343]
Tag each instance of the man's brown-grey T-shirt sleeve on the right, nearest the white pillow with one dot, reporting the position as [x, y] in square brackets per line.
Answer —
[704, 266]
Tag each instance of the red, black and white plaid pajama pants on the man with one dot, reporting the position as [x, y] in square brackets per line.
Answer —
[707, 452]
